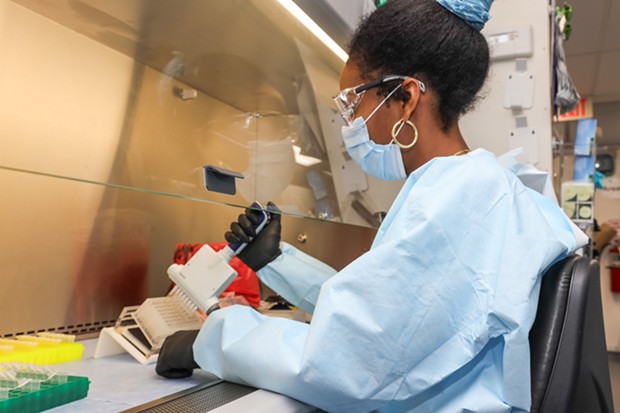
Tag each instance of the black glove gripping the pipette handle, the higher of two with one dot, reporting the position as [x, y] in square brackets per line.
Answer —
[265, 247]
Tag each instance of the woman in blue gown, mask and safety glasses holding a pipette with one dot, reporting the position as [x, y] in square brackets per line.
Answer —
[435, 317]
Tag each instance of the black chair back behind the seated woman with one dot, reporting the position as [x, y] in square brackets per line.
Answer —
[570, 370]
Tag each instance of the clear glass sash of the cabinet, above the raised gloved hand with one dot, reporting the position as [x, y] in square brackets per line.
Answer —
[153, 91]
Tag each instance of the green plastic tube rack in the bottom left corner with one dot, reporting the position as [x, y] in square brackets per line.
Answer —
[49, 395]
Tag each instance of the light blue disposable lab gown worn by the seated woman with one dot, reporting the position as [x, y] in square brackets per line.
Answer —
[434, 318]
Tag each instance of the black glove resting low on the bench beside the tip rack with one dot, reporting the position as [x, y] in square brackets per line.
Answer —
[176, 357]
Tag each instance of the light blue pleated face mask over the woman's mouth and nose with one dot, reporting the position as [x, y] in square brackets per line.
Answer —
[381, 161]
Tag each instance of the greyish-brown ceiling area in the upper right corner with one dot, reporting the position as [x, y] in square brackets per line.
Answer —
[593, 50]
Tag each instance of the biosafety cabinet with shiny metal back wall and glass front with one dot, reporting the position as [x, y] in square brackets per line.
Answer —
[109, 112]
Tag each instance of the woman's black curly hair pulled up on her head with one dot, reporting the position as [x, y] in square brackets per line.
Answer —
[422, 39]
